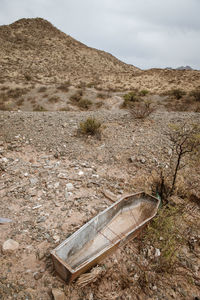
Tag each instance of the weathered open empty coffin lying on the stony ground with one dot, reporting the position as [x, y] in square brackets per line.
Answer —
[102, 234]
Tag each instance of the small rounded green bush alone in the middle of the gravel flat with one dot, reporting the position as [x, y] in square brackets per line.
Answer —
[90, 127]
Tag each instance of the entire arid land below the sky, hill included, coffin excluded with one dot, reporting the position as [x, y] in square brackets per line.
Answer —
[55, 174]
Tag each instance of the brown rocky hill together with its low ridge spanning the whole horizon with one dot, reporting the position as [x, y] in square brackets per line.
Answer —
[33, 50]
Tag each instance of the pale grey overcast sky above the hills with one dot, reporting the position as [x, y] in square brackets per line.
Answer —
[144, 33]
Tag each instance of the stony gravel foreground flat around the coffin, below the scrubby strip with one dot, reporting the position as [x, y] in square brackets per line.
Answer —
[52, 181]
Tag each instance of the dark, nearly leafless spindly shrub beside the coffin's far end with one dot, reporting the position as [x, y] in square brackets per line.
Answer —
[184, 145]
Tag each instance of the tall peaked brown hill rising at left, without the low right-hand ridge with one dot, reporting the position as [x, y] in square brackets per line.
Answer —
[35, 49]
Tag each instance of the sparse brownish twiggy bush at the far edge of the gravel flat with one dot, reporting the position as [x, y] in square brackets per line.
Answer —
[141, 110]
